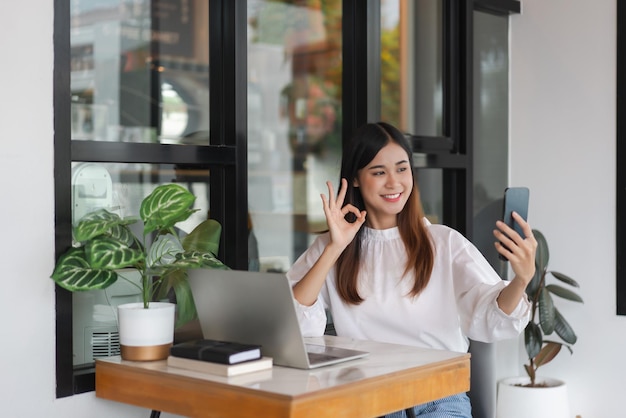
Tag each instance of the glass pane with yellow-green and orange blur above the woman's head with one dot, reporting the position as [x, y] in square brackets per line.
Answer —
[411, 65]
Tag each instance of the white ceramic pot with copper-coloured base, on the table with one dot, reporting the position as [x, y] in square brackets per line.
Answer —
[146, 334]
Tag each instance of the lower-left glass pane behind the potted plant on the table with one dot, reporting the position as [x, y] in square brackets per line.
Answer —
[120, 188]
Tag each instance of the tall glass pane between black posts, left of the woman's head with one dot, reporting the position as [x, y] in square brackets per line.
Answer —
[294, 122]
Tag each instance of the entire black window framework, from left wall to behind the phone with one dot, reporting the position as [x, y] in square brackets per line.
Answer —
[227, 152]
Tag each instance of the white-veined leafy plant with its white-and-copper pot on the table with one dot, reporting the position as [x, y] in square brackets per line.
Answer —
[106, 249]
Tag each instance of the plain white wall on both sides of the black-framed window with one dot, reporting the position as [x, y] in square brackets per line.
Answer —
[562, 146]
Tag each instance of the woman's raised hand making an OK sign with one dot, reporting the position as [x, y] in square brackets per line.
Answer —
[341, 231]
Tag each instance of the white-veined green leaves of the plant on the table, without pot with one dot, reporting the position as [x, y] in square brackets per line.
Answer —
[109, 245]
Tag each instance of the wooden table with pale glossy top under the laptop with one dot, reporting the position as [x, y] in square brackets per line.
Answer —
[391, 378]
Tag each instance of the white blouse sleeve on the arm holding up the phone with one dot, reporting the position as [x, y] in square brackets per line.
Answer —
[477, 287]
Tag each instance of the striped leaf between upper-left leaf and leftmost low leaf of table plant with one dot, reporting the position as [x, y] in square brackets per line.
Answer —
[106, 253]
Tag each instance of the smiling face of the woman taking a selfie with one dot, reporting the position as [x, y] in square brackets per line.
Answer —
[385, 185]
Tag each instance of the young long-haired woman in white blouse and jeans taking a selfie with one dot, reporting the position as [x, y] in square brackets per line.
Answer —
[385, 273]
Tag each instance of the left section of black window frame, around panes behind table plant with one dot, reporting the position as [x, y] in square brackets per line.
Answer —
[225, 155]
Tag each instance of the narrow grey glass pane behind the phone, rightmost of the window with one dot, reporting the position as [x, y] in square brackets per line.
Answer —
[491, 97]
